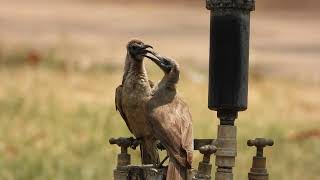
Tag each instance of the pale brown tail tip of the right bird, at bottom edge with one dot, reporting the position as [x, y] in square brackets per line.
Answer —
[176, 171]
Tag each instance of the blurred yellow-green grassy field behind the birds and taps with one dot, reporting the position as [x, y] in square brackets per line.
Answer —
[56, 119]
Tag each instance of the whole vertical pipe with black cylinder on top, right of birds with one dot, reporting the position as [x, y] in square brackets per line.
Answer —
[228, 74]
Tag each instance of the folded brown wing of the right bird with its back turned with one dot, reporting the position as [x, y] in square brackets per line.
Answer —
[172, 125]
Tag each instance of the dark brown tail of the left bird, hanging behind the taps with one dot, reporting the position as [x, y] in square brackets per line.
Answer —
[149, 152]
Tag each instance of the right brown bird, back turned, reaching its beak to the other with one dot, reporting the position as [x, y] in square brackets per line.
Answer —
[171, 120]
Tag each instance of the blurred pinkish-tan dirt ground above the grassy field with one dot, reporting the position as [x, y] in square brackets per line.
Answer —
[284, 43]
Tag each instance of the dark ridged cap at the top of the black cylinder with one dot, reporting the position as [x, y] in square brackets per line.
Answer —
[231, 4]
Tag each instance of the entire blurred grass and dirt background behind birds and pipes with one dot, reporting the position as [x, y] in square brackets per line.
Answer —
[60, 62]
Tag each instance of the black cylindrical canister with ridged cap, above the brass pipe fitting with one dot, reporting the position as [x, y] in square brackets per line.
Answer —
[229, 55]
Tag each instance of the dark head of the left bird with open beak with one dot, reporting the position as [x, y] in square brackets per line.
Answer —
[137, 49]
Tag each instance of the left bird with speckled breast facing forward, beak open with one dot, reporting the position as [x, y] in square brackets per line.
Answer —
[132, 95]
